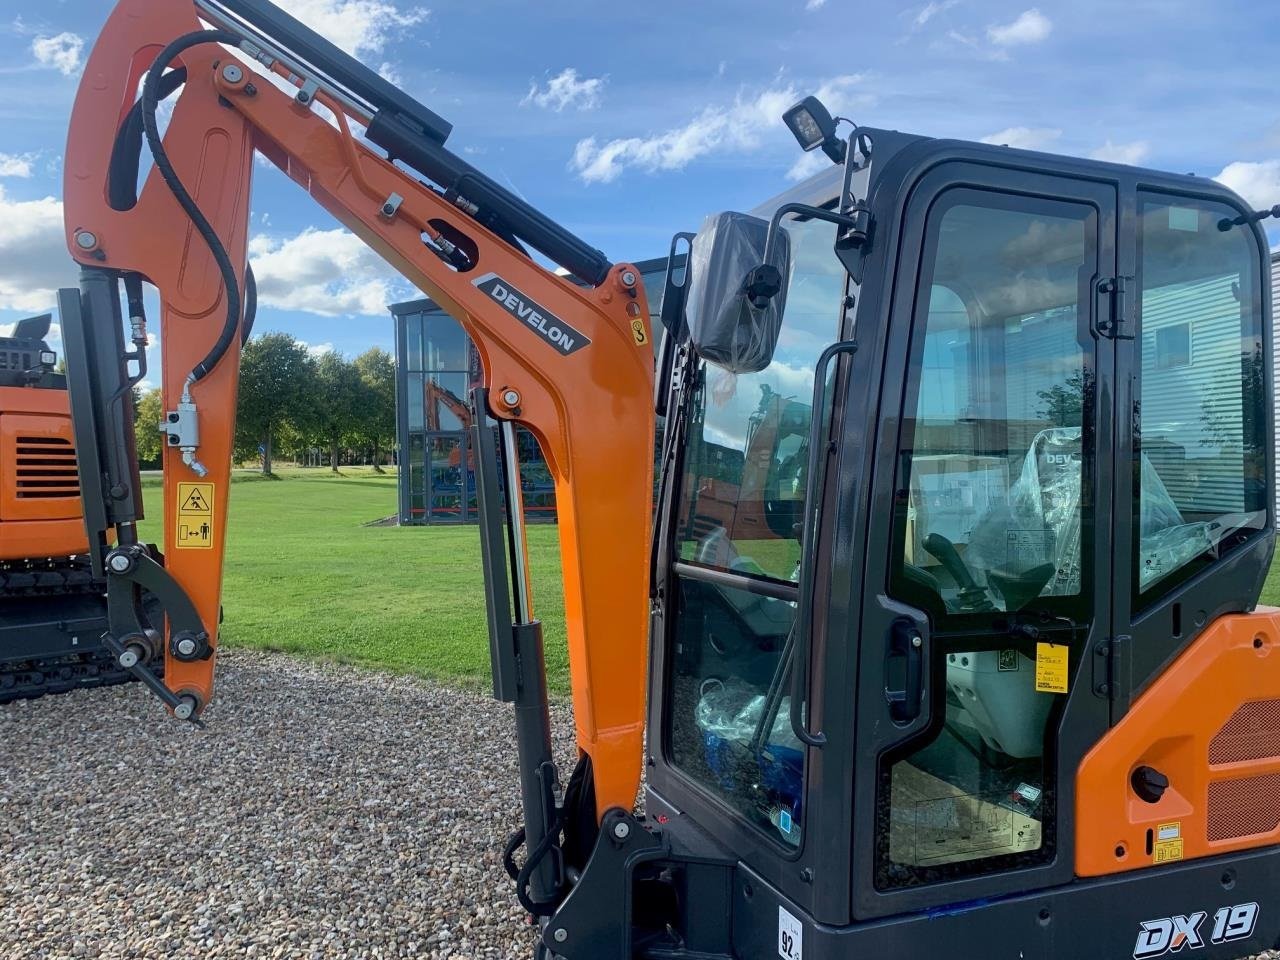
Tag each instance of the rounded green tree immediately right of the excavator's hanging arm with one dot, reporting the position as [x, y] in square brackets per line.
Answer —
[277, 392]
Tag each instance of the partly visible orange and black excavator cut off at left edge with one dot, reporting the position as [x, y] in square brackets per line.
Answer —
[53, 610]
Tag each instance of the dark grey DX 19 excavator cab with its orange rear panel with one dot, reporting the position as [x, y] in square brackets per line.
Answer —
[950, 705]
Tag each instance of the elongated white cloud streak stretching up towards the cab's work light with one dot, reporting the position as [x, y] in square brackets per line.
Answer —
[735, 127]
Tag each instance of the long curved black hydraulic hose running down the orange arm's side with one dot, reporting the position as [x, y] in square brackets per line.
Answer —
[150, 100]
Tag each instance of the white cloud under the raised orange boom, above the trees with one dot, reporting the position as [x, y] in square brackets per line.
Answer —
[331, 273]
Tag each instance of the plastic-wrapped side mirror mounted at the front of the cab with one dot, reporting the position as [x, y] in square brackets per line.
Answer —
[724, 326]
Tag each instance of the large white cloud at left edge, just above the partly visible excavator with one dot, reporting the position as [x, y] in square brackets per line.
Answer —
[34, 259]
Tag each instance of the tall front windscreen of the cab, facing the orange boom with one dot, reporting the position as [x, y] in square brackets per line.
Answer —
[739, 538]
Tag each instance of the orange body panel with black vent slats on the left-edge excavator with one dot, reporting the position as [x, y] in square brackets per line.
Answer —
[40, 506]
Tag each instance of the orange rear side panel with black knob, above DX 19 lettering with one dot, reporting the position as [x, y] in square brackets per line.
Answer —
[1212, 724]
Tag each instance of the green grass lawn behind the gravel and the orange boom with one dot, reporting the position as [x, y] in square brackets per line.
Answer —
[305, 577]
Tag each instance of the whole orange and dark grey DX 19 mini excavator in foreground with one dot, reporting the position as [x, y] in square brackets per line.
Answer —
[970, 662]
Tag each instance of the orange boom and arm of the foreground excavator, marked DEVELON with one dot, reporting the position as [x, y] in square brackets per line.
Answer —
[592, 412]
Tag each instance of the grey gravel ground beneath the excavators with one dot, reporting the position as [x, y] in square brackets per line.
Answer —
[321, 816]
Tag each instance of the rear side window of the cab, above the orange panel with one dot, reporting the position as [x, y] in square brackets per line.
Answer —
[1201, 452]
